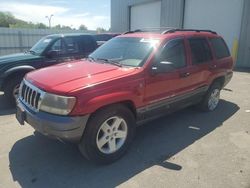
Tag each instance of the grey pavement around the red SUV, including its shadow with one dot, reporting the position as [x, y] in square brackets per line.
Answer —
[185, 149]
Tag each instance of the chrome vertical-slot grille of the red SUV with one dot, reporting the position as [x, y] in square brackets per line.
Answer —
[30, 95]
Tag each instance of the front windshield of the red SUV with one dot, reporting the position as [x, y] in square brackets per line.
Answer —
[126, 51]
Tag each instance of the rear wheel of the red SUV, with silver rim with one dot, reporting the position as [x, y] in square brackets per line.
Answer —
[211, 99]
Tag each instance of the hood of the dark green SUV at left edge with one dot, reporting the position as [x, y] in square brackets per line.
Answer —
[17, 57]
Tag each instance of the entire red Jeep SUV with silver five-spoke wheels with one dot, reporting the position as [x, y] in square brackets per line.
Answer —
[135, 77]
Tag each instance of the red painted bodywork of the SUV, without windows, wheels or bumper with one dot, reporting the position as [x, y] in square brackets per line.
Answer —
[96, 85]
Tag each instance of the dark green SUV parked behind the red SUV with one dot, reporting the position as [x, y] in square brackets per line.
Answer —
[50, 50]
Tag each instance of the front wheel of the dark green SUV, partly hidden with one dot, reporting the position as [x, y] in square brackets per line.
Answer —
[11, 88]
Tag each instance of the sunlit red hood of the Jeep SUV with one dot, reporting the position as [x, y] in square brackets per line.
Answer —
[67, 77]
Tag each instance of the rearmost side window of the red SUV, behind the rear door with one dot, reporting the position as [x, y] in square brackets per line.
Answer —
[220, 48]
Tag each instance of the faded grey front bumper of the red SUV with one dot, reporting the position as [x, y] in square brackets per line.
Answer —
[60, 127]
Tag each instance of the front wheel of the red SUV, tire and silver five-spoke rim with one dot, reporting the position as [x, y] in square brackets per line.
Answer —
[100, 143]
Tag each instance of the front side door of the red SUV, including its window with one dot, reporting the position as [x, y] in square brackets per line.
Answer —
[164, 86]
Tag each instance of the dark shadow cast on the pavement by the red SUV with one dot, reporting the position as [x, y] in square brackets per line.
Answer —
[36, 161]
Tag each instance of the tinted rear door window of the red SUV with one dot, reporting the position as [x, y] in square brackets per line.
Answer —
[201, 52]
